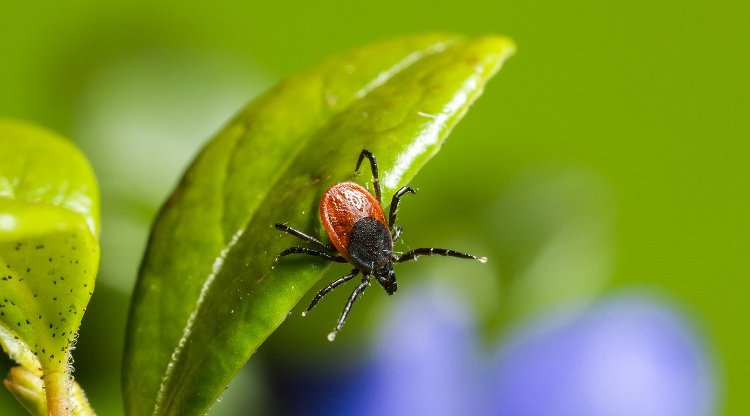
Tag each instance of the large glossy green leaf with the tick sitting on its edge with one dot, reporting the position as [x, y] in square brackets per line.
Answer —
[209, 291]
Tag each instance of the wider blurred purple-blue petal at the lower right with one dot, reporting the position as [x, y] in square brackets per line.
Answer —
[628, 356]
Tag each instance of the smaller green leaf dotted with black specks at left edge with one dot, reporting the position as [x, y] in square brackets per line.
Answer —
[49, 251]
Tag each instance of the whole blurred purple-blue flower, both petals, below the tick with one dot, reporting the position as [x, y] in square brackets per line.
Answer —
[627, 355]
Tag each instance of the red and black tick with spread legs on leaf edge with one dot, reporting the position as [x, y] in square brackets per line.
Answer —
[360, 235]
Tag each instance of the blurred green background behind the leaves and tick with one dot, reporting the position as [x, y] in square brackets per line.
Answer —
[623, 124]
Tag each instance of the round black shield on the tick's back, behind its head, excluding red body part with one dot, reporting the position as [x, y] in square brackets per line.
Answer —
[370, 244]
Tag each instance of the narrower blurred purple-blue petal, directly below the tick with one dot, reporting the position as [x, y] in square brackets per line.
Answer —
[423, 364]
